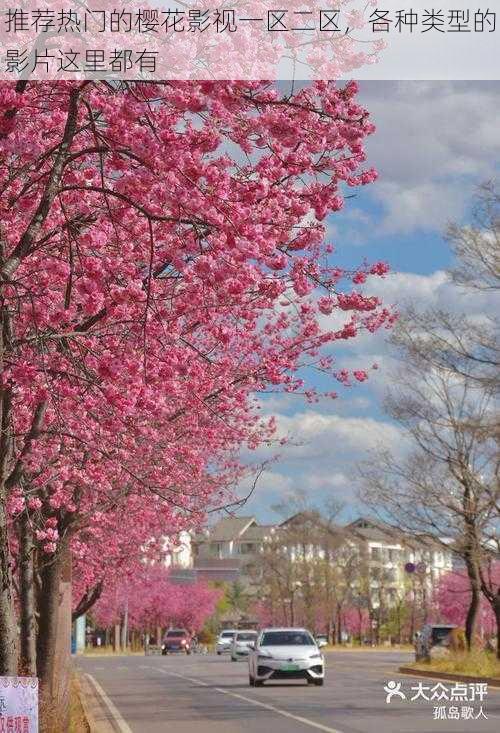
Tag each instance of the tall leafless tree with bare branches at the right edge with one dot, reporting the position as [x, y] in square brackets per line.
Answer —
[446, 399]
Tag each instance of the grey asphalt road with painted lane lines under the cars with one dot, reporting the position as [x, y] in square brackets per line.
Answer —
[210, 694]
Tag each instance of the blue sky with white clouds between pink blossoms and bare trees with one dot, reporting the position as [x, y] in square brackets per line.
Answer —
[435, 141]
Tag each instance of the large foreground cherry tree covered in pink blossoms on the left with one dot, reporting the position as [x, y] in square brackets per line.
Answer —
[162, 260]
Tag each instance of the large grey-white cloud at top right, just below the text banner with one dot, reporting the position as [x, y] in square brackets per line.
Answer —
[434, 142]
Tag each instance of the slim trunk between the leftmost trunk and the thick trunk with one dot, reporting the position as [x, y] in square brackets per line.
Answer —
[27, 597]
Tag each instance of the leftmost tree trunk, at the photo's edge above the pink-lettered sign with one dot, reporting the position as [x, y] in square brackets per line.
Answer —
[8, 635]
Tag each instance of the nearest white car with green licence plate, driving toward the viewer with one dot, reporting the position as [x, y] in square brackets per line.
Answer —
[285, 654]
